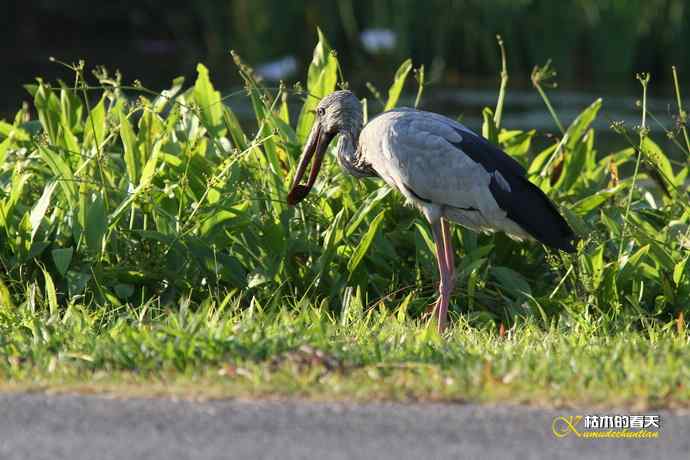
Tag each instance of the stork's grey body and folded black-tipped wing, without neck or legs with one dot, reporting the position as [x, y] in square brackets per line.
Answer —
[436, 161]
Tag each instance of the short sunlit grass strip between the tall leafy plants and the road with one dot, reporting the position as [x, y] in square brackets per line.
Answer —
[231, 352]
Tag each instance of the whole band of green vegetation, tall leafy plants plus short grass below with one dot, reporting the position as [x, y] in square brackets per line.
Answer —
[147, 247]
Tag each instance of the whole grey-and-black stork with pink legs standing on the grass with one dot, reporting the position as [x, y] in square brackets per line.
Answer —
[447, 171]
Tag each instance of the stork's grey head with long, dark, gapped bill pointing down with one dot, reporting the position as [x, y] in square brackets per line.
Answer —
[339, 112]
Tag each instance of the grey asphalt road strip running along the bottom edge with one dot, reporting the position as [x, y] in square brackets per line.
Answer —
[37, 426]
